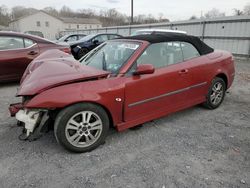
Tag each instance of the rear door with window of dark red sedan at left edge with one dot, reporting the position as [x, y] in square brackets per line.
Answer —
[15, 55]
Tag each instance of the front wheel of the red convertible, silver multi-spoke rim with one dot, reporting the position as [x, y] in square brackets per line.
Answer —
[81, 127]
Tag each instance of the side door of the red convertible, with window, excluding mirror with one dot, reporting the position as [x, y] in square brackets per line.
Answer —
[164, 90]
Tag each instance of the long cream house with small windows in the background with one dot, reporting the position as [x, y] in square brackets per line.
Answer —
[50, 25]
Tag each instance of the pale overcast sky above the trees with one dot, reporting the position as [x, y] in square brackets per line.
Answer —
[173, 10]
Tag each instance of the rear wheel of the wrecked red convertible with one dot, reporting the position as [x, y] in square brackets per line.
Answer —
[215, 96]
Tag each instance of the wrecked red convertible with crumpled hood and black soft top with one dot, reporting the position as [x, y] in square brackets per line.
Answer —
[122, 83]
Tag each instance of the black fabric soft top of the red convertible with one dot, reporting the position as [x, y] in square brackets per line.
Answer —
[168, 37]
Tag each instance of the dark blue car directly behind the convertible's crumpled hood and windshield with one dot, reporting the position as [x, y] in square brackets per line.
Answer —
[84, 45]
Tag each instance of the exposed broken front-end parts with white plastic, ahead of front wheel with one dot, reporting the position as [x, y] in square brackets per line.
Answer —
[32, 119]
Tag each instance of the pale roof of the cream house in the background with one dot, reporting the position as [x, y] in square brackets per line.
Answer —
[65, 20]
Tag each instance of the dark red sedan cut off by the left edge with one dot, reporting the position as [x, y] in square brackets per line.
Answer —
[17, 50]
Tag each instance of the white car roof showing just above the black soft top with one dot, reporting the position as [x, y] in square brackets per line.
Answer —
[156, 31]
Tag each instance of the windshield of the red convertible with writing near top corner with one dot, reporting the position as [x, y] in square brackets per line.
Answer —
[110, 56]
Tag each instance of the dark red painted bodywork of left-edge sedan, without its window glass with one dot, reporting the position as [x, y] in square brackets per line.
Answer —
[14, 62]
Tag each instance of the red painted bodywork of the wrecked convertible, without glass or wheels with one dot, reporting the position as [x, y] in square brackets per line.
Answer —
[143, 97]
